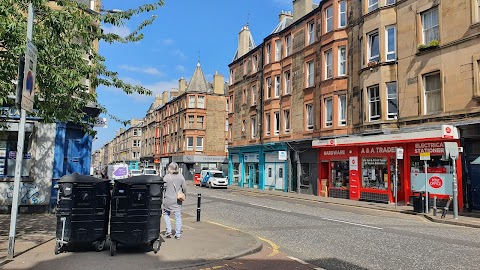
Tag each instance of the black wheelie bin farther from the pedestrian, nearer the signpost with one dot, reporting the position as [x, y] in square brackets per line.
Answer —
[83, 207]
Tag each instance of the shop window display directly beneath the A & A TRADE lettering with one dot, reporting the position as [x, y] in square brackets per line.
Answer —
[375, 173]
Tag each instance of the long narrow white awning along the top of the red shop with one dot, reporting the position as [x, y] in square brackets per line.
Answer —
[445, 132]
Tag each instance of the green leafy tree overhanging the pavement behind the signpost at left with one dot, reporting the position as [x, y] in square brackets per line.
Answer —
[66, 33]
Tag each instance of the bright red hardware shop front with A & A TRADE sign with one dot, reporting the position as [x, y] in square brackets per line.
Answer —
[366, 167]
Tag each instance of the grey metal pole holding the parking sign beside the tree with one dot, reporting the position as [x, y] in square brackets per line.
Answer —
[19, 156]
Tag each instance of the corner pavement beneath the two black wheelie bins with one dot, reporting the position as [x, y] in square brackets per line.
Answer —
[201, 243]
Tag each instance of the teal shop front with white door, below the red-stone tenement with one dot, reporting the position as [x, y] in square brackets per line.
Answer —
[259, 167]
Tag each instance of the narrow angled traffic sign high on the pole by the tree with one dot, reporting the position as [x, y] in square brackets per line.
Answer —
[29, 72]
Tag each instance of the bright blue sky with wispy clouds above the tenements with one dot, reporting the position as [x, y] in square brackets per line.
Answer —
[170, 49]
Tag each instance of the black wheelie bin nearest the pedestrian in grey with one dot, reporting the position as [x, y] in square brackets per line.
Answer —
[136, 211]
